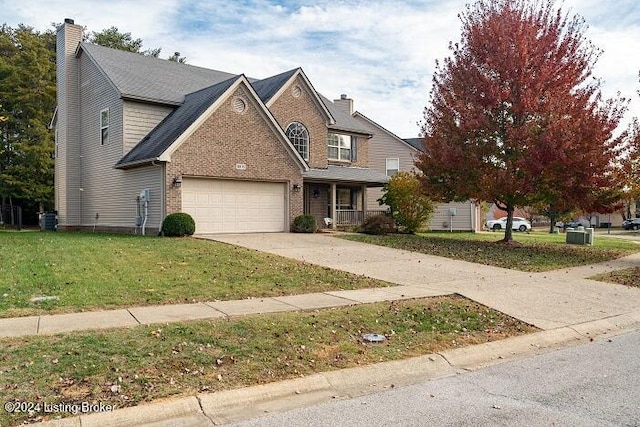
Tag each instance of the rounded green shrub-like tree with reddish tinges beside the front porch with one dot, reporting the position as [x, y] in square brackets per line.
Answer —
[410, 208]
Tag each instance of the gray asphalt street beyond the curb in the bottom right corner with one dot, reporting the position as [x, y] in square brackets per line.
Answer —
[597, 384]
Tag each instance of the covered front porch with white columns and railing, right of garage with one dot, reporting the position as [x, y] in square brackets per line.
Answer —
[337, 196]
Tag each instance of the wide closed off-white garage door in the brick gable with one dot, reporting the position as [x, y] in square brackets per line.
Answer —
[225, 206]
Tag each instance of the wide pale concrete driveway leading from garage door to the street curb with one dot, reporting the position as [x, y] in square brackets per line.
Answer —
[547, 300]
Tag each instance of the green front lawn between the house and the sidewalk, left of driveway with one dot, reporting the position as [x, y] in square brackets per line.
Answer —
[101, 271]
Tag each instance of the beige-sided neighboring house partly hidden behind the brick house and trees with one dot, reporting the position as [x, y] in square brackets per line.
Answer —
[389, 154]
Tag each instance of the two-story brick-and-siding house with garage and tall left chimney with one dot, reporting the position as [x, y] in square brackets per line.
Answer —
[138, 138]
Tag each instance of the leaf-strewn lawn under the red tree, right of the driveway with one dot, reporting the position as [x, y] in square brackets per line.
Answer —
[537, 251]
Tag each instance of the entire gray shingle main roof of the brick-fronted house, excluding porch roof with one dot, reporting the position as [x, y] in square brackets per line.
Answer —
[191, 89]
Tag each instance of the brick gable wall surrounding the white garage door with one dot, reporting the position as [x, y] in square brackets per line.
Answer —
[227, 138]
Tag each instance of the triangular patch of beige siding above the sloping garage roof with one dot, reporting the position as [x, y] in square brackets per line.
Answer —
[139, 119]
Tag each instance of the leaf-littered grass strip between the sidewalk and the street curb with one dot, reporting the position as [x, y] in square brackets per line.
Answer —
[125, 367]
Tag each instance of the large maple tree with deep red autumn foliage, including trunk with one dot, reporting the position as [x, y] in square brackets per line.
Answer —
[515, 117]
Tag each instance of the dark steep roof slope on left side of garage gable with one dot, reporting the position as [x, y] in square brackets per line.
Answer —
[175, 124]
